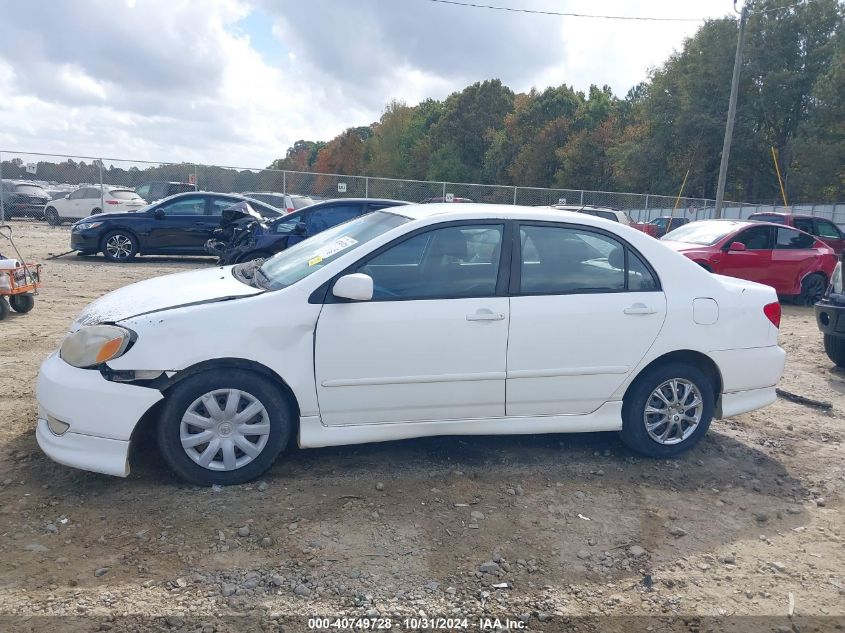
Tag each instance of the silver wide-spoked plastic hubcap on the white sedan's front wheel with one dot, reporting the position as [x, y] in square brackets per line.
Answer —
[224, 429]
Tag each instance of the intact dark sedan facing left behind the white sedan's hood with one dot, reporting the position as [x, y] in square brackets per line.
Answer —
[178, 225]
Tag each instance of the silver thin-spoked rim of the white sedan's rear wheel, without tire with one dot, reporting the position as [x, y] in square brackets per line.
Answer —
[673, 411]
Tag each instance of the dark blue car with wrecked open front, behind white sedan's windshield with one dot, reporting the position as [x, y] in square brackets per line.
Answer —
[268, 238]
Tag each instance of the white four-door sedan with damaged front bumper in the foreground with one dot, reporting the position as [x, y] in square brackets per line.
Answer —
[421, 320]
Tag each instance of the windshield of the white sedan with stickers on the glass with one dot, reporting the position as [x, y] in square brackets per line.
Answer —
[309, 256]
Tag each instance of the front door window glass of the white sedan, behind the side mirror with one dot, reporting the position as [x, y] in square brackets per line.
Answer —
[445, 263]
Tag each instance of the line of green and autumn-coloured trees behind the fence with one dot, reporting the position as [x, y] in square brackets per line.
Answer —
[791, 98]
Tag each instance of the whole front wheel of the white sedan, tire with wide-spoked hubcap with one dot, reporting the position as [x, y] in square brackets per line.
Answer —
[223, 427]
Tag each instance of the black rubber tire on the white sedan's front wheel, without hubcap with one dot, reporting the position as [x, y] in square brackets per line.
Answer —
[187, 394]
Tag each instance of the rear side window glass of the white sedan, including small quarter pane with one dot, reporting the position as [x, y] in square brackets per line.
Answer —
[560, 260]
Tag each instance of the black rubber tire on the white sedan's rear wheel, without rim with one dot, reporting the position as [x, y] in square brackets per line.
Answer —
[640, 395]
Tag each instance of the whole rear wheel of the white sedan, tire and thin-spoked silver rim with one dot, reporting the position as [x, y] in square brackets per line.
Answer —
[667, 410]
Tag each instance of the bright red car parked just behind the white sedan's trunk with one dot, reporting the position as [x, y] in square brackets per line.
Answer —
[792, 262]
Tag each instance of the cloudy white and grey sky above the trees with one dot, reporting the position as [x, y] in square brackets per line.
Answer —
[235, 82]
